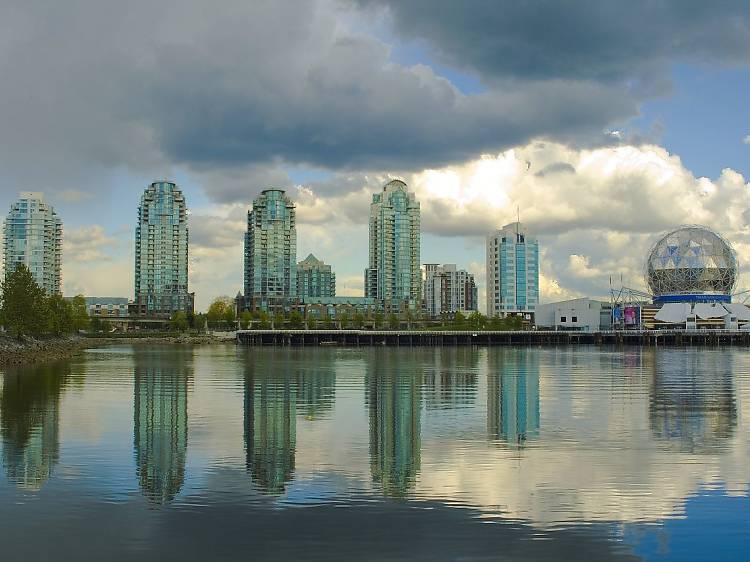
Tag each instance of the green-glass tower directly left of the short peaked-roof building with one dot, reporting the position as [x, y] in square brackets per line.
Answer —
[270, 251]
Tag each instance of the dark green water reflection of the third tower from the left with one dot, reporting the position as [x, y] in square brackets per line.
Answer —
[270, 425]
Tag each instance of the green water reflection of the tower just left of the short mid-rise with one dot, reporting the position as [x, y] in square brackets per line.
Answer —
[393, 387]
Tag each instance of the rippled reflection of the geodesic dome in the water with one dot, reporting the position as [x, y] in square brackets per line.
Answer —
[692, 404]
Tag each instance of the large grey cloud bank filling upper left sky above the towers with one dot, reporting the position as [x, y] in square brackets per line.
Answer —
[92, 86]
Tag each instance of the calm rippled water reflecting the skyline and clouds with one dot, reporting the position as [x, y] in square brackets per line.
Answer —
[219, 453]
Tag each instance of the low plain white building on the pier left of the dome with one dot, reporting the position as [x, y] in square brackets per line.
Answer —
[584, 314]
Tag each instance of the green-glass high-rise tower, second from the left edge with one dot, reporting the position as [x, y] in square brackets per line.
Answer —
[161, 252]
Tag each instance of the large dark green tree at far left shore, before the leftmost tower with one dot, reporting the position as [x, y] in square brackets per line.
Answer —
[24, 306]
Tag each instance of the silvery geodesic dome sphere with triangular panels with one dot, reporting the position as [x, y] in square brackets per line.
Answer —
[691, 260]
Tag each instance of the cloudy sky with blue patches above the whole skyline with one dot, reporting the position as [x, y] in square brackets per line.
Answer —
[604, 125]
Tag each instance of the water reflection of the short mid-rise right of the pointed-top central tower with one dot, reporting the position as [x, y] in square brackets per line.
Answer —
[451, 381]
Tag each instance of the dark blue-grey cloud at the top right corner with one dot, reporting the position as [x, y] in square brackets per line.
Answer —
[606, 40]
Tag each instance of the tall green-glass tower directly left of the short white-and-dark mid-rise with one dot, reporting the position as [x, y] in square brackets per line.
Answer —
[393, 276]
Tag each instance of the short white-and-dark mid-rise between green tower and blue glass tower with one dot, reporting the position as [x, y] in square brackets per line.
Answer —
[448, 290]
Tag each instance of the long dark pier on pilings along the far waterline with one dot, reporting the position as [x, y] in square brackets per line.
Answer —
[426, 338]
